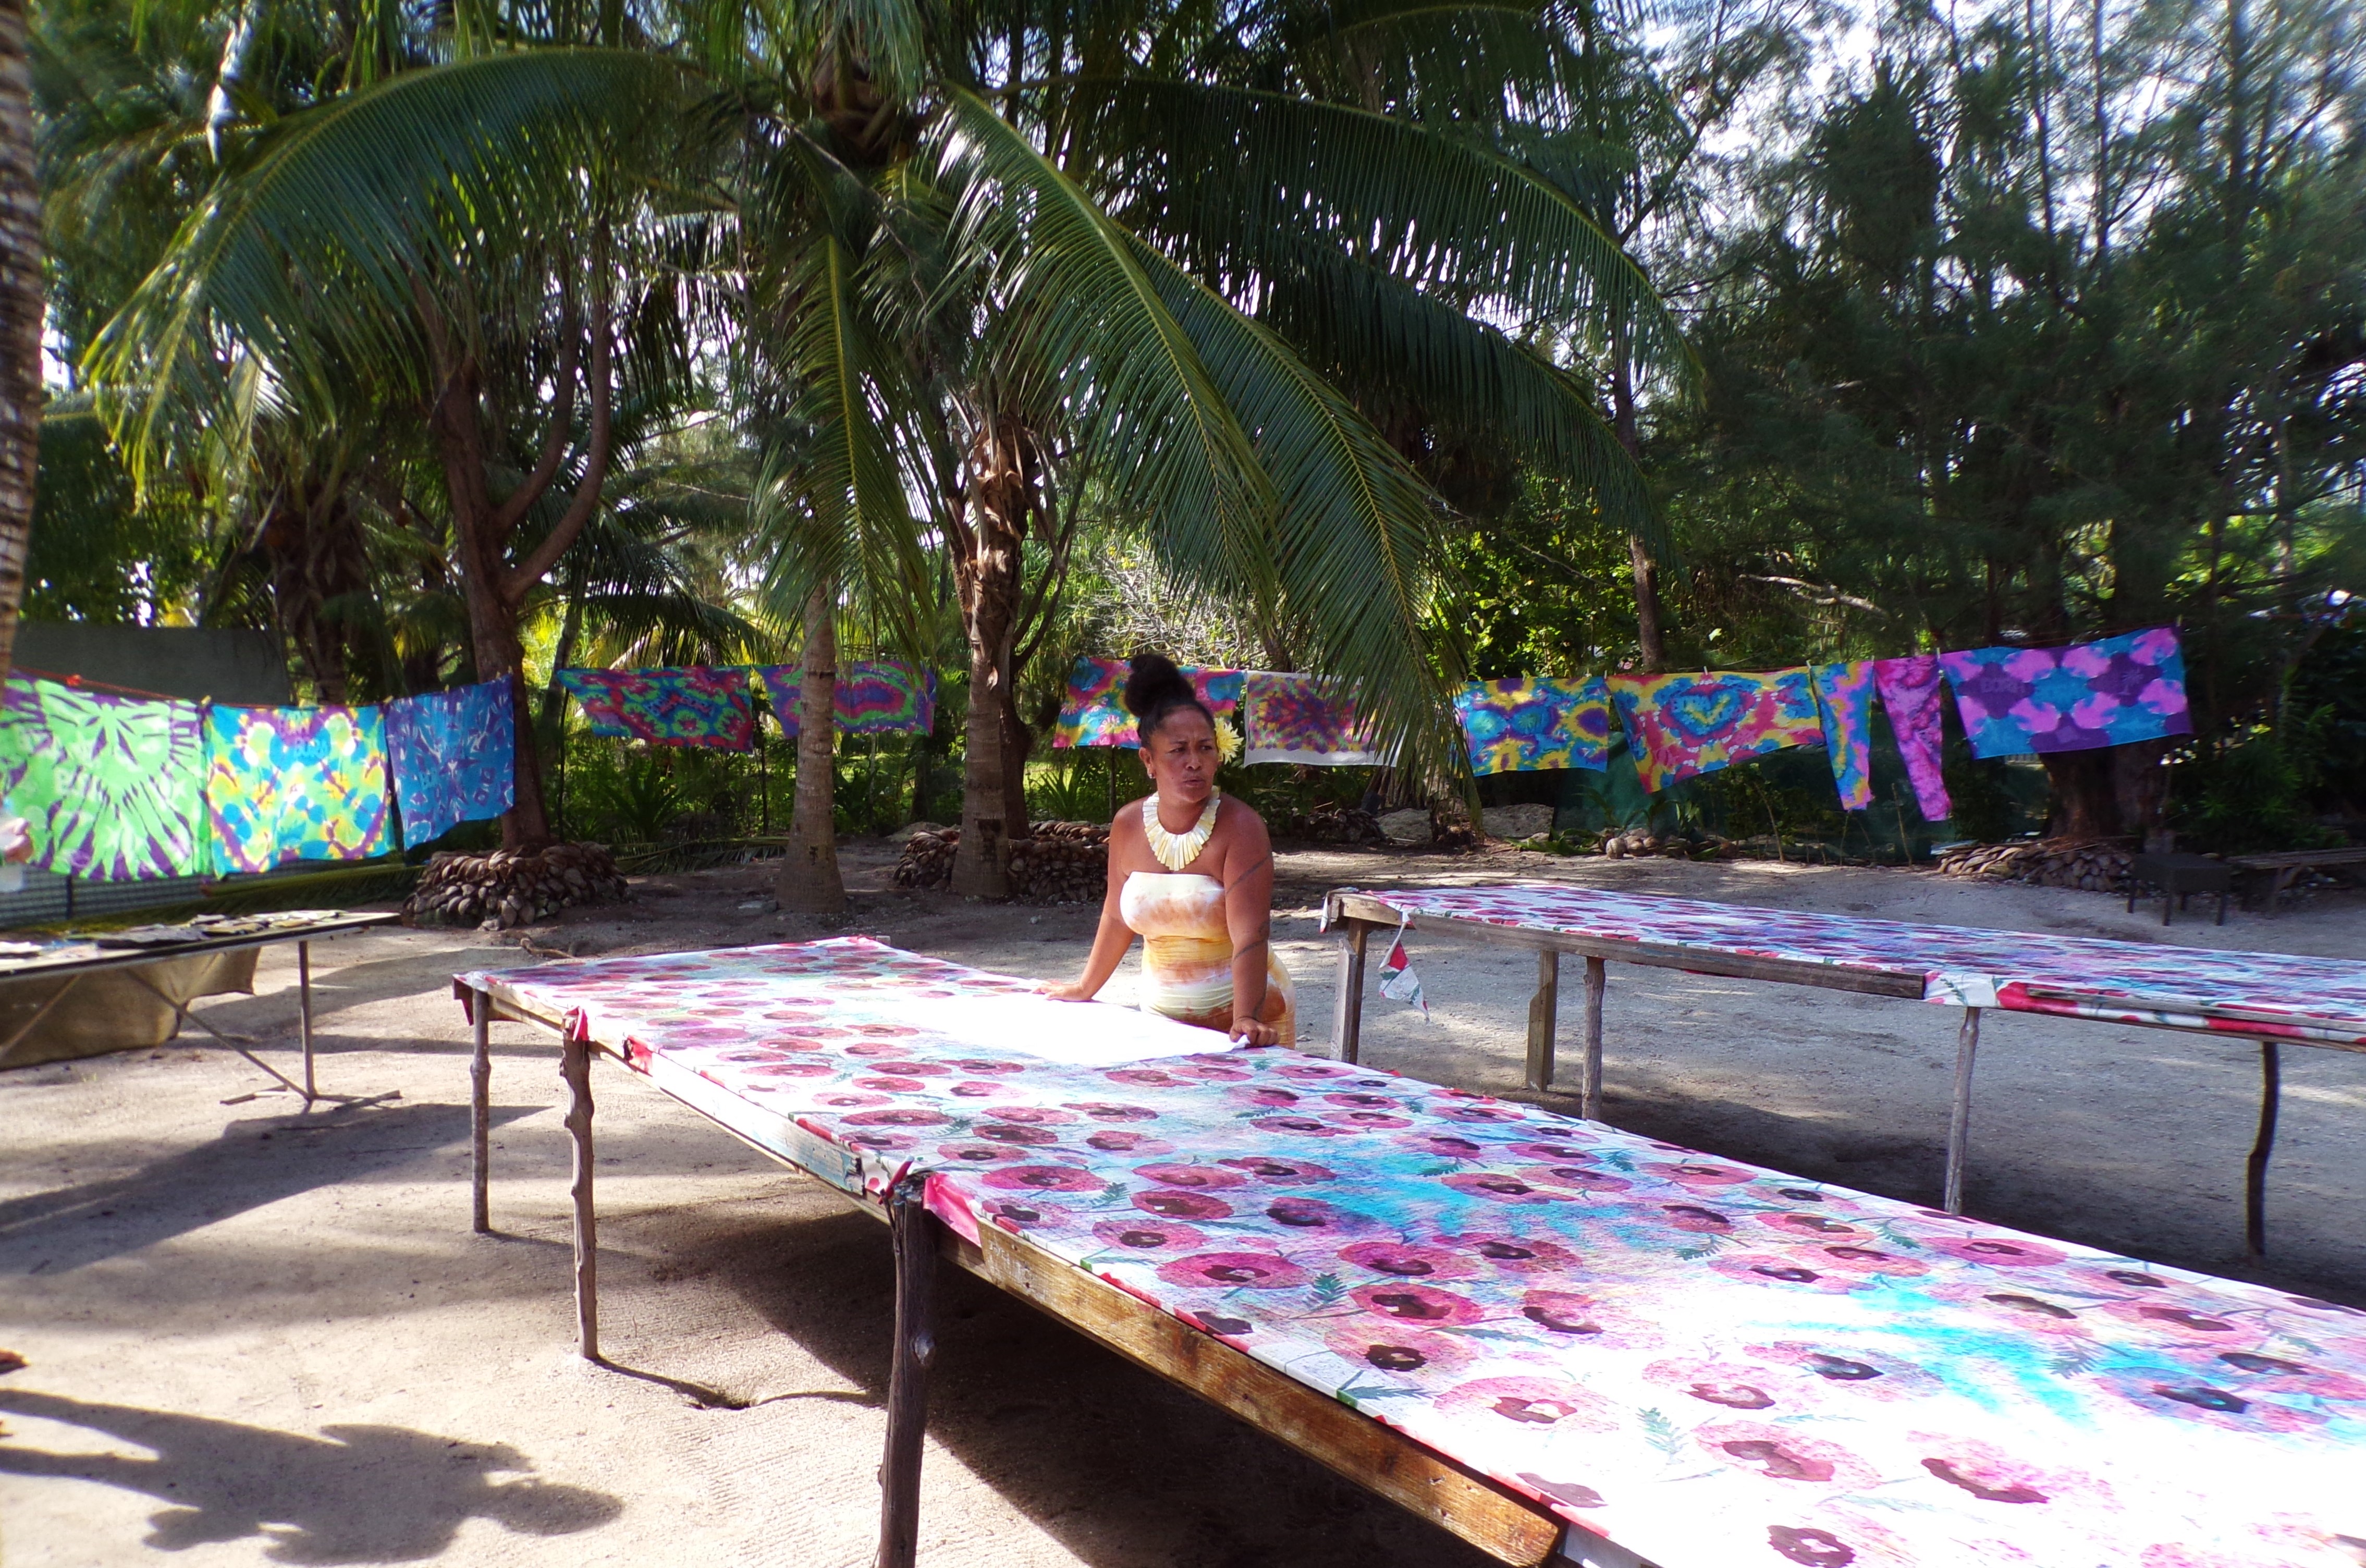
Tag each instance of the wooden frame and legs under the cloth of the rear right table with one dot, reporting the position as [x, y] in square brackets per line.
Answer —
[1355, 916]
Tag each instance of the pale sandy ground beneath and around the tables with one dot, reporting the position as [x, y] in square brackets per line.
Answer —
[261, 1335]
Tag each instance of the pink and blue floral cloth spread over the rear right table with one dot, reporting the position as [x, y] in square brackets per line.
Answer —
[2249, 994]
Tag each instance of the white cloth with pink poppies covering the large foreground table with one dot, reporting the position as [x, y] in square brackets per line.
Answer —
[1707, 1363]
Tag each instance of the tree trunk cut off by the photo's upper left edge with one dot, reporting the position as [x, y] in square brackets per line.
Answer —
[20, 320]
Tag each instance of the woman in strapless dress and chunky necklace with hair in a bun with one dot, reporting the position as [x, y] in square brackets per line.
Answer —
[1194, 876]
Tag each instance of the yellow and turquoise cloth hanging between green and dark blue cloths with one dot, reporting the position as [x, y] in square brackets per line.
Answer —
[295, 784]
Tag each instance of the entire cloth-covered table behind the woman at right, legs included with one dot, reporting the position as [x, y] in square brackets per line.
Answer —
[2254, 997]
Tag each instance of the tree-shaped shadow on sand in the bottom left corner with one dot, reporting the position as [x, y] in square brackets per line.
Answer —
[351, 1496]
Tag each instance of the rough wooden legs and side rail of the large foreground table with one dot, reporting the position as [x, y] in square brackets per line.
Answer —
[1461, 1501]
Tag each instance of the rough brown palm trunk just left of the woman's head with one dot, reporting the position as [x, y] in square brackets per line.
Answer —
[990, 574]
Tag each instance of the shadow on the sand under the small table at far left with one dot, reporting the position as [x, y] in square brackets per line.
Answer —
[252, 1165]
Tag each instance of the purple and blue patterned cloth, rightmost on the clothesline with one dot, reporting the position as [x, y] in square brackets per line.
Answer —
[2079, 699]
